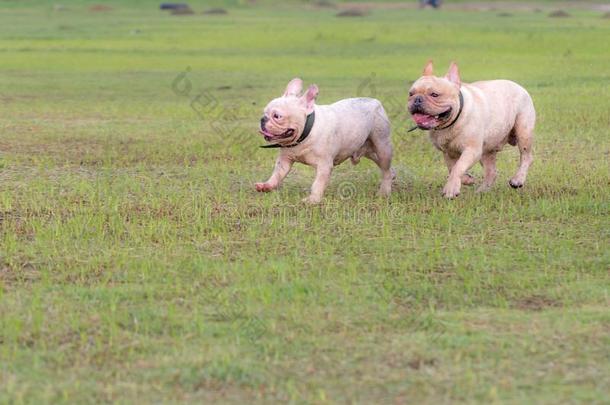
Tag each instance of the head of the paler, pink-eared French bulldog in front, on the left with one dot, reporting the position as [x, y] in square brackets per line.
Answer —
[284, 118]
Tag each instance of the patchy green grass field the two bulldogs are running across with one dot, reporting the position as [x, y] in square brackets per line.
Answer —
[138, 264]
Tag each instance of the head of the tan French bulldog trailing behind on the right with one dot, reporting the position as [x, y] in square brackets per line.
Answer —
[435, 101]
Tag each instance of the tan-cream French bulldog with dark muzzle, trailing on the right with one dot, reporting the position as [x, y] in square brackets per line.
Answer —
[472, 122]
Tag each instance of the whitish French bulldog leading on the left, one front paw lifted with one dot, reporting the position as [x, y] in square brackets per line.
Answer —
[324, 136]
